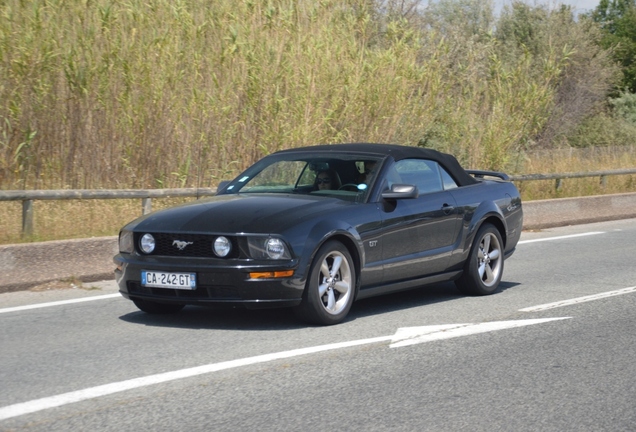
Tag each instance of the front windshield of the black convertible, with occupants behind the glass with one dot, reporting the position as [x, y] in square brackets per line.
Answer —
[344, 176]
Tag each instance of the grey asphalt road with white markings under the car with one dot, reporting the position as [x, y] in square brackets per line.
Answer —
[424, 360]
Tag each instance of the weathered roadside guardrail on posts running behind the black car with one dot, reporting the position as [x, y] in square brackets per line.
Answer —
[28, 196]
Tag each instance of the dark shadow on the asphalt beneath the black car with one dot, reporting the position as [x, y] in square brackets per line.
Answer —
[197, 317]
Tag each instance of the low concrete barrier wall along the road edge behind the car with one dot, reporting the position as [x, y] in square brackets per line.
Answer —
[23, 266]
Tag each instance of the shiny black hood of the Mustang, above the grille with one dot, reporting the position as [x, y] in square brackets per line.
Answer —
[262, 213]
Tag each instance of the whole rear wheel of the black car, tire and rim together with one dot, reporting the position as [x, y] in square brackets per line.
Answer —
[484, 268]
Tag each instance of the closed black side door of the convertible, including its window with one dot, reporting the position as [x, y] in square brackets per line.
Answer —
[418, 234]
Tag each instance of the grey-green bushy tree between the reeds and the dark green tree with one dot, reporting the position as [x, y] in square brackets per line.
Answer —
[584, 71]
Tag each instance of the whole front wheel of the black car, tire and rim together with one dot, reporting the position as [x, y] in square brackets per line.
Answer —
[330, 287]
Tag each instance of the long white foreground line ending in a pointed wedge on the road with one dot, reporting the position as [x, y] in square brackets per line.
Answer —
[403, 337]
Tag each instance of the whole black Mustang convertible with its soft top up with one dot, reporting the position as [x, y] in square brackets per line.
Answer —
[316, 228]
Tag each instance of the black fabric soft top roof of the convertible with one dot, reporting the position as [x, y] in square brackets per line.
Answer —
[398, 152]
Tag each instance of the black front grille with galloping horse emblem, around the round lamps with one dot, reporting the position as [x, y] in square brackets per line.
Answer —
[196, 245]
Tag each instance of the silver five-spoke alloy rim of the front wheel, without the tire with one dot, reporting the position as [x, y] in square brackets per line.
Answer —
[336, 282]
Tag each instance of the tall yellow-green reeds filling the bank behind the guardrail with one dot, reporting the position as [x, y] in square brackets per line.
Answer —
[175, 93]
